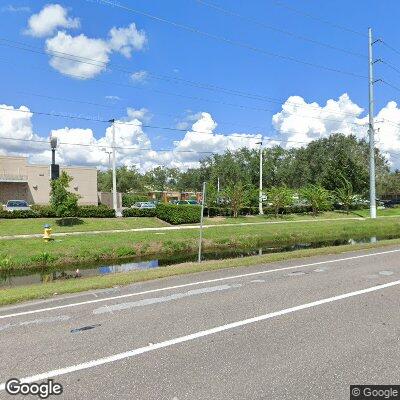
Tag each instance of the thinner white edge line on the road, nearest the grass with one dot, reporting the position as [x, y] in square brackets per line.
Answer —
[123, 296]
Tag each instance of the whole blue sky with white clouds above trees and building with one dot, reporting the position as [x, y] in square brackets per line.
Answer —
[186, 78]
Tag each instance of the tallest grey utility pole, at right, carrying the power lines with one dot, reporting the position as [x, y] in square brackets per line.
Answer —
[371, 131]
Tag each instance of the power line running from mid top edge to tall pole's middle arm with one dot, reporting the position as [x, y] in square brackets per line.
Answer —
[282, 31]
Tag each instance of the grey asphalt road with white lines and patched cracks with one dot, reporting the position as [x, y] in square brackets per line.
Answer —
[301, 329]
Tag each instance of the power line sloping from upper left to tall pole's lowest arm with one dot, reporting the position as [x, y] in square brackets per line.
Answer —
[229, 41]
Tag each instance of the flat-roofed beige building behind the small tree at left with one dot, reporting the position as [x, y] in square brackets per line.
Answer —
[22, 181]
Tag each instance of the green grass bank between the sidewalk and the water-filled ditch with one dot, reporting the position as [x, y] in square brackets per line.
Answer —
[70, 250]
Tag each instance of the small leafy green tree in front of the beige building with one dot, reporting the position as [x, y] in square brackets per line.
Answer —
[63, 202]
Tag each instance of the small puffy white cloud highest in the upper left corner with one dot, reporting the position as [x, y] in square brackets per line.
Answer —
[50, 18]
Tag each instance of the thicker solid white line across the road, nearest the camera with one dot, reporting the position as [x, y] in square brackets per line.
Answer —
[196, 335]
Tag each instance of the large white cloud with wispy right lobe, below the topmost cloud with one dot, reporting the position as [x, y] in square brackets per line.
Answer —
[90, 56]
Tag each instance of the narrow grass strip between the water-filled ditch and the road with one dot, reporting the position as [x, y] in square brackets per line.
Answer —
[41, 291]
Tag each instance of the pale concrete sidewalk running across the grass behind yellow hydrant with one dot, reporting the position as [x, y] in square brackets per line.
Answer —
[174, 228]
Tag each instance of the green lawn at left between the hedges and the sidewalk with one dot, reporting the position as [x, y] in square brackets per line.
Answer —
[35, 225]
